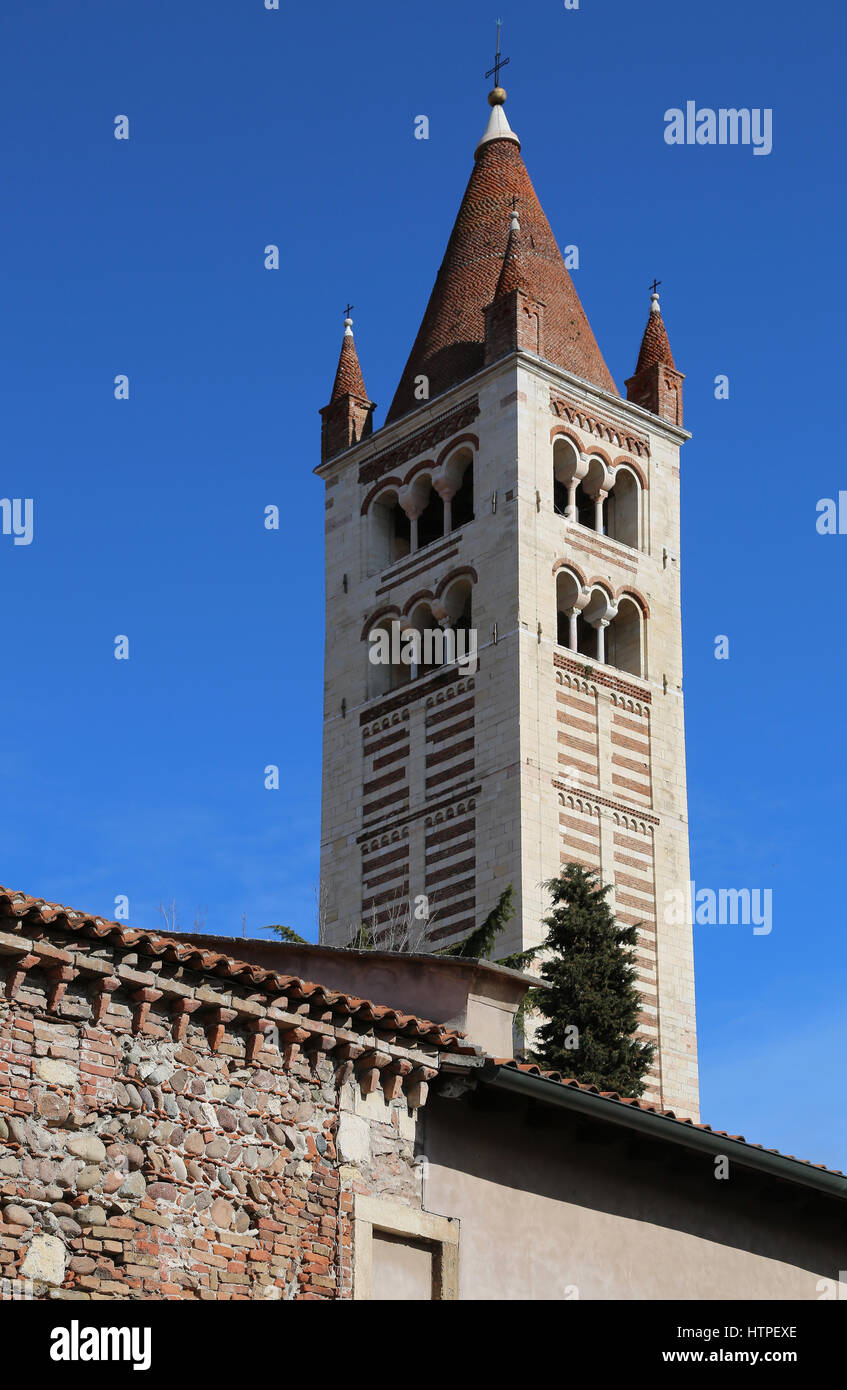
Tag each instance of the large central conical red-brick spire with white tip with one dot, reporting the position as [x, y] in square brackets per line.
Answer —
[450, 345]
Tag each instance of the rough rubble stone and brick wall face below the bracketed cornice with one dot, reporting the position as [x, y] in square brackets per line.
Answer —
[138, 1167]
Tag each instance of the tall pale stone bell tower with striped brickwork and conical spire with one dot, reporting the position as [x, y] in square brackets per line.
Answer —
[514, 498]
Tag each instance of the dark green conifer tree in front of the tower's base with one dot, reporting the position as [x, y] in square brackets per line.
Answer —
[588, 992]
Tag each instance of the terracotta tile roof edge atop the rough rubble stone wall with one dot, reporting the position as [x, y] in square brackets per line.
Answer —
[19, 907]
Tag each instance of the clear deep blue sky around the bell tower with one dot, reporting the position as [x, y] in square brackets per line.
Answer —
[145, 778]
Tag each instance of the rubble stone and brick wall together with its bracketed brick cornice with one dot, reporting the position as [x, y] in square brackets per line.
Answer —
[161, 1138]
